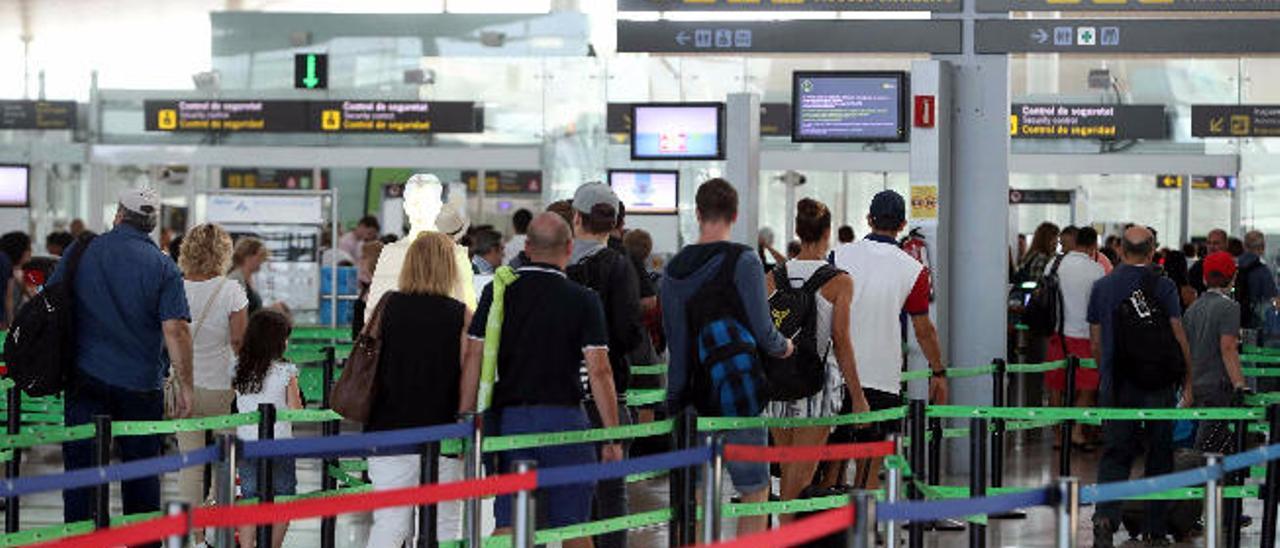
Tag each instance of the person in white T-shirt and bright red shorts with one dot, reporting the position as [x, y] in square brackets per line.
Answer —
[1077, 272]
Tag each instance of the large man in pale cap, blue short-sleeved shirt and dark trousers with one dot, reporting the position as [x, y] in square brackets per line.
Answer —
[130, 308]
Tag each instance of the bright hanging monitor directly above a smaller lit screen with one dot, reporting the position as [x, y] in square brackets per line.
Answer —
[678, 131]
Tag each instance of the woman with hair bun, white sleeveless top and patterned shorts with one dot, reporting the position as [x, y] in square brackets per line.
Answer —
[833, 302]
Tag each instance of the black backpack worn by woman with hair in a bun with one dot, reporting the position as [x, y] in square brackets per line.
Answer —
[796, 316]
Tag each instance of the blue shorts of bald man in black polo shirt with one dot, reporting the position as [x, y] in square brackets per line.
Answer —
[565, 505]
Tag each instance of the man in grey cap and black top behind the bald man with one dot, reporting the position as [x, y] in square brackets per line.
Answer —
[611, 276]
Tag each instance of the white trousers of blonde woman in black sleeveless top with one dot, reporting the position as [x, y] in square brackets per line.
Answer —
[394, 527]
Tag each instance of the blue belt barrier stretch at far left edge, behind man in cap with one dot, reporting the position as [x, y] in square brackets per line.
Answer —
[125, 472]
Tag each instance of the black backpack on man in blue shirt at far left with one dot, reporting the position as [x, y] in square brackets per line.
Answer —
[40, 349]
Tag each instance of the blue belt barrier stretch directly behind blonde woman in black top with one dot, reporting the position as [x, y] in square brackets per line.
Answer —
[377, 444]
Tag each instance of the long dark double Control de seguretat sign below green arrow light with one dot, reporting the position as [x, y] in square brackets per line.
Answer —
[314, 117]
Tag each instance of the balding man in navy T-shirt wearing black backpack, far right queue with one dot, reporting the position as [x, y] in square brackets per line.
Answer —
[1135, 281]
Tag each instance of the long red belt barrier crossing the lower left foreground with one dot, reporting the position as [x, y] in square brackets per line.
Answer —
[272, 513]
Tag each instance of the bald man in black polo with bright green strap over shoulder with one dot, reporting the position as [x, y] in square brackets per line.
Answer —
[550, 328]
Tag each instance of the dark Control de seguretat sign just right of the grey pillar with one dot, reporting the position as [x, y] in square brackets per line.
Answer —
[1089, 122]
